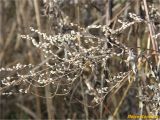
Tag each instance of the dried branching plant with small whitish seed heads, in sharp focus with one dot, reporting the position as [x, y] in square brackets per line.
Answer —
[81, 62]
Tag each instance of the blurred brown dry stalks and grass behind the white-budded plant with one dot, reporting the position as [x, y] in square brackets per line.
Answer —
[16, 16]
